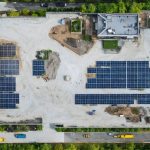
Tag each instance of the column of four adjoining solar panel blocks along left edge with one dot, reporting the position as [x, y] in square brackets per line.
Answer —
[8, 67]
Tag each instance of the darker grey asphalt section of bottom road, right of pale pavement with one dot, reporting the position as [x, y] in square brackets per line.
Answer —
[104, 138]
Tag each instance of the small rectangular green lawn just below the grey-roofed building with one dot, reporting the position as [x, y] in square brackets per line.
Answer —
[110, 44]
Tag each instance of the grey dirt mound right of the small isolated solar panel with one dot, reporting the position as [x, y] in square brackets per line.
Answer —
[52, 65]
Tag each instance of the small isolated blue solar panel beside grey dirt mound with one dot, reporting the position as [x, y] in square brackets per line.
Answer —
[38, 67]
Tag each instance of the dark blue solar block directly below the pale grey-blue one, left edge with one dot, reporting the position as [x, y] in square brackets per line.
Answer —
[7, 84]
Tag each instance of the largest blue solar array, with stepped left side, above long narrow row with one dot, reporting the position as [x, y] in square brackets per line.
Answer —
[119, 74]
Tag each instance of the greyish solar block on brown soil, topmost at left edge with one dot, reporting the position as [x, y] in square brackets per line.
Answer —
[7, 50]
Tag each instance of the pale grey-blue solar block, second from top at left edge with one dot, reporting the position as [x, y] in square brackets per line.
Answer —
[9, 67]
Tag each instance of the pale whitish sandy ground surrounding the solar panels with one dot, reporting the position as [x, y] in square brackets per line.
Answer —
[54, 100]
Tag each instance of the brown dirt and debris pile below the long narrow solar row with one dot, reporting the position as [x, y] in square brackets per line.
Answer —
[130, 113]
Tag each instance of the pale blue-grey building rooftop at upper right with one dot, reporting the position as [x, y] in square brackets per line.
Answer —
[122, 25]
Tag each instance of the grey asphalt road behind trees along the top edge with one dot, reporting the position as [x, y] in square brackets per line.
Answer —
[36, 6]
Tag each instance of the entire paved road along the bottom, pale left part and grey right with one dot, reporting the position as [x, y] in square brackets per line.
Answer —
[50, 136]
